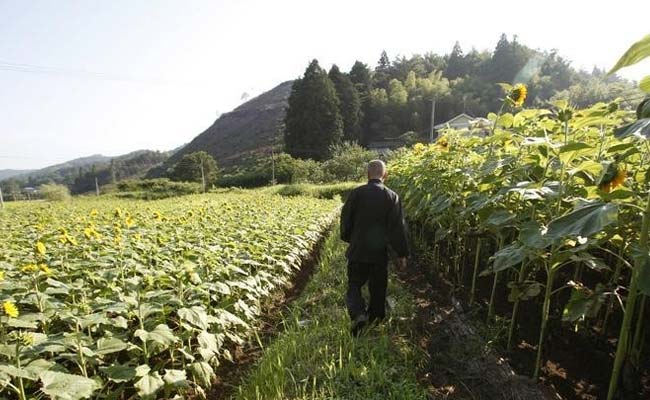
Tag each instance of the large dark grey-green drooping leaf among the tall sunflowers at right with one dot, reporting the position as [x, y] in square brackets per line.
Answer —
[585, 221]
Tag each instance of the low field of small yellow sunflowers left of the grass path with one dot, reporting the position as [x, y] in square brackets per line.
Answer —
[122, 299]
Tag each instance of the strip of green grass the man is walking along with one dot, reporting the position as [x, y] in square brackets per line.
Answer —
[315, 357]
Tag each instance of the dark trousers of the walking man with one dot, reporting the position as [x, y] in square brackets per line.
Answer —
[376, 275]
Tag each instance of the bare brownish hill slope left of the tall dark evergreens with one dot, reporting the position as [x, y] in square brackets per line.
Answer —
[246, 130]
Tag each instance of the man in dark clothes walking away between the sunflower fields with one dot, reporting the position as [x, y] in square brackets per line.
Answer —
[371, 220]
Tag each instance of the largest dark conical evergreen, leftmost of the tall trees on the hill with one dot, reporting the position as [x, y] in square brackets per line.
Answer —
[313, 121]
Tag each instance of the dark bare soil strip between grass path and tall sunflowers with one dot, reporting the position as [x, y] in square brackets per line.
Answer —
[461, 364]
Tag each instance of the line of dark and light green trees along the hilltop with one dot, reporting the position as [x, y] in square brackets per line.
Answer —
[395, 97]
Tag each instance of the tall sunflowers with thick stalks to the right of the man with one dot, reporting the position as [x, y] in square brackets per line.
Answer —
[551, 205]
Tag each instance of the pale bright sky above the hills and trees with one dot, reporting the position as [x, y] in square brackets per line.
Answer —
[108, 77]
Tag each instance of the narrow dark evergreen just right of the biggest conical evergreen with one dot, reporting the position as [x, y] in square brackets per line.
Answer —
[349, 104]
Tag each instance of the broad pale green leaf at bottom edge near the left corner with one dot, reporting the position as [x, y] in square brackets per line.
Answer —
[62, 386]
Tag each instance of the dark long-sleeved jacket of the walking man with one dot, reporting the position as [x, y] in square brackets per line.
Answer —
[371, 219]
